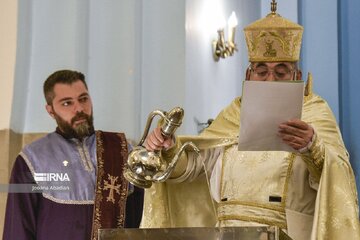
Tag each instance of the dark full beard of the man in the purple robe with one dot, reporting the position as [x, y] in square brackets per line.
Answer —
[81, 130]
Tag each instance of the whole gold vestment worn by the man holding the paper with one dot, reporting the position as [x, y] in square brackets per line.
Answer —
[334, 206]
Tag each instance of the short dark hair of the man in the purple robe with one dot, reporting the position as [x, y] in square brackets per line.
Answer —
[61, 76]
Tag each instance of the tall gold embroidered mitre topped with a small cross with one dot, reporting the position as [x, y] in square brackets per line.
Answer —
[273, 39]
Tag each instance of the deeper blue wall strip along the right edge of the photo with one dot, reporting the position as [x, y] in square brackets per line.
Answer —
[349, 78]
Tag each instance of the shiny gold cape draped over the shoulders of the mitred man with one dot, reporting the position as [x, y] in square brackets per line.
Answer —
[332, 218]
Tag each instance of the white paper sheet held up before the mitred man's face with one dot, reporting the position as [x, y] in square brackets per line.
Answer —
[264, 106]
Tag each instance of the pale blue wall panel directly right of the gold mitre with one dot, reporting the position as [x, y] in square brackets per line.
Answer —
[319, 53]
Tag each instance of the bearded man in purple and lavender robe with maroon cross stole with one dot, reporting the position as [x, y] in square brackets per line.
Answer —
[75, 172]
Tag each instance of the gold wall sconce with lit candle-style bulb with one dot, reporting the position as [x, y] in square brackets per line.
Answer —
[222, 48]
